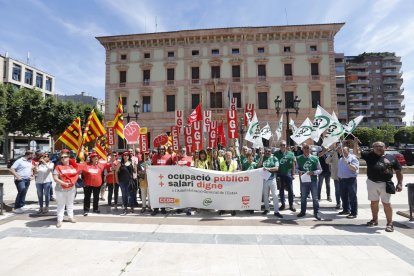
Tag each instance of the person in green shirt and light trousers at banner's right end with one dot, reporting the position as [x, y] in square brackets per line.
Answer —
[270, 164]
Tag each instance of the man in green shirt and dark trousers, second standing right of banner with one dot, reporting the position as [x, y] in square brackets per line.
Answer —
[286, 173]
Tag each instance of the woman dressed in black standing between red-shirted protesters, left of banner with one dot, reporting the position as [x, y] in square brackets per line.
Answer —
[124, 176]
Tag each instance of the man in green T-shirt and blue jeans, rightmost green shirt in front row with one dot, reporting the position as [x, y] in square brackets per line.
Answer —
[309, 168]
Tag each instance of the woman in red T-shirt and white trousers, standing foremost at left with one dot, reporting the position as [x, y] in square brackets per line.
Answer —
[65, 176]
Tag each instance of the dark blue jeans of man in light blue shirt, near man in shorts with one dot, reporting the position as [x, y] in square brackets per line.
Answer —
[349, 197]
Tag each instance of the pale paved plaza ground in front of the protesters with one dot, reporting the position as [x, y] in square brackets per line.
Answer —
[205, 243]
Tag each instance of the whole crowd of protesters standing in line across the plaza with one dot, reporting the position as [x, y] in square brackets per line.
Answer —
[127, 172]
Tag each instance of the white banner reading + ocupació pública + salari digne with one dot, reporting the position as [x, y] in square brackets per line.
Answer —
[182, 187]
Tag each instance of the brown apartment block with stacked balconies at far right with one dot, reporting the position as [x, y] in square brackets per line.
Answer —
[373, 84]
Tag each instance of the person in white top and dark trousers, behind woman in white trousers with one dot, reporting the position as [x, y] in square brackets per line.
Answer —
[43, 180]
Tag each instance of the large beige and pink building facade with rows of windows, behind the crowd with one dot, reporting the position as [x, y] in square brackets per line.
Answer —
[172, 71]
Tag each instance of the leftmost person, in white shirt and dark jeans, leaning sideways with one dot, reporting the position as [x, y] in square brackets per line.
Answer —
[22, 170]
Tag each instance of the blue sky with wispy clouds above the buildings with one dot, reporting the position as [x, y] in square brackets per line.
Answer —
[60, 35]
